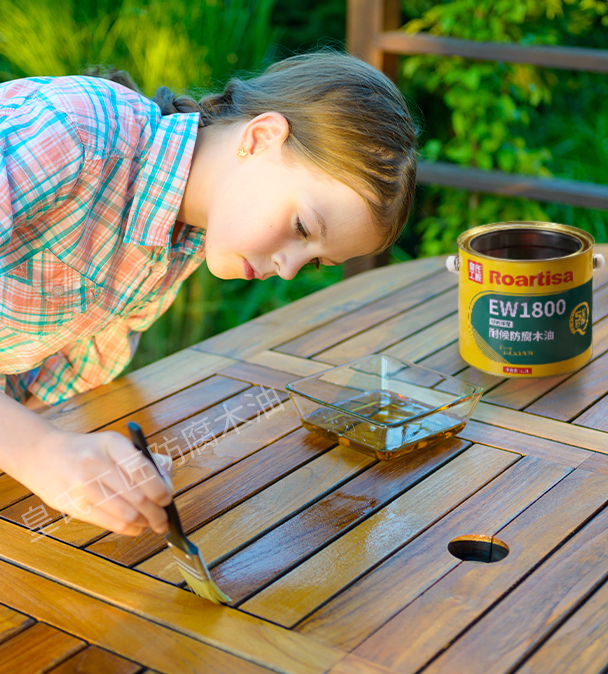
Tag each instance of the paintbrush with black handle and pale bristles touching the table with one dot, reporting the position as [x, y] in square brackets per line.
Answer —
[186, 555]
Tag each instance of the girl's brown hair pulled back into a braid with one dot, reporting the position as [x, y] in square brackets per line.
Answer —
[345, 117]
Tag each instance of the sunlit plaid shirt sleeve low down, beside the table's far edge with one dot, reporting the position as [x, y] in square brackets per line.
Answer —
[85, 364]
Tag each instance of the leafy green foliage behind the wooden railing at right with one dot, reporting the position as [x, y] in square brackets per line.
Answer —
[502, 116]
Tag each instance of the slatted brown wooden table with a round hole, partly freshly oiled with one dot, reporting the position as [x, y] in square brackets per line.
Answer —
[335, 562]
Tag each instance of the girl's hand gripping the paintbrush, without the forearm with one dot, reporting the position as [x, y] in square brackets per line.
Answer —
[99, 478]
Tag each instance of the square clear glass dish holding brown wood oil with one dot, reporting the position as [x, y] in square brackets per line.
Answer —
[382, 406]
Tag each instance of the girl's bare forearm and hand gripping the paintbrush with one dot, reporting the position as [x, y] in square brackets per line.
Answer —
[98, 478]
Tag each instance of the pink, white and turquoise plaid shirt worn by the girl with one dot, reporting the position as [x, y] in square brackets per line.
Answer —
[91, 181]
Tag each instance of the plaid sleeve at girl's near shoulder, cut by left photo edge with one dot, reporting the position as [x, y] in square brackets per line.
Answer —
[41, 157]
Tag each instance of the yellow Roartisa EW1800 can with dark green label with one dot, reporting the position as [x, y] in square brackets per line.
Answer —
[525, 298]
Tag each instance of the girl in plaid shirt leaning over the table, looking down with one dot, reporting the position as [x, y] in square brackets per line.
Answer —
[108, 201]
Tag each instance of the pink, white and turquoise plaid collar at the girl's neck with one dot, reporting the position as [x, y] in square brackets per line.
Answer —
[162, 180]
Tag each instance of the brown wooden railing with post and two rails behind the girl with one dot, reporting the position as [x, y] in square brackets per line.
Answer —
[372, 35]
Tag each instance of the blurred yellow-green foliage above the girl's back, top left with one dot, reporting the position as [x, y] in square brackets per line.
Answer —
[181, 45]
